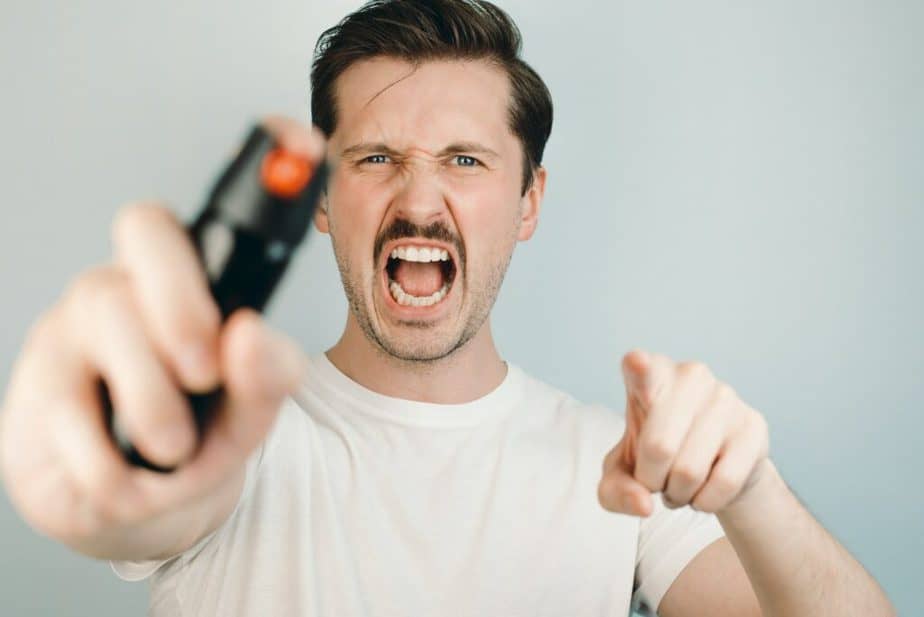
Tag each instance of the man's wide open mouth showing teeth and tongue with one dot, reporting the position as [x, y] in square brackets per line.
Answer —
[419, 276]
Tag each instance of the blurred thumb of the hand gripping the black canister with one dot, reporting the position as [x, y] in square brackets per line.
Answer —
[260, 368]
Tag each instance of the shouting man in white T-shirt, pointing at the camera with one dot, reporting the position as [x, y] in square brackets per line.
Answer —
[412, 471]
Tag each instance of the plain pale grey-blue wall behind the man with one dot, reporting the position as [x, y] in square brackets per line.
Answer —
[739, 183]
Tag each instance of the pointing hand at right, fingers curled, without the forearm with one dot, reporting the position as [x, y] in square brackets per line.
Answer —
[688, 436]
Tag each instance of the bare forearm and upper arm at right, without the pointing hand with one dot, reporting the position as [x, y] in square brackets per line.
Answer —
[793, 564]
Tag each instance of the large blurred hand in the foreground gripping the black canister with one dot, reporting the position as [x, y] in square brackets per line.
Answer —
[148, 326]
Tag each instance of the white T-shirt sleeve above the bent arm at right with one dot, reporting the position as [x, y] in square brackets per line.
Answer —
[668, 541]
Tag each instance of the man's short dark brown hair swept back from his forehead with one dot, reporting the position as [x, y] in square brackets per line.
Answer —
[421, 30]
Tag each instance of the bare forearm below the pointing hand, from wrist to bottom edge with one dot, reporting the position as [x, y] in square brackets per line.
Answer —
[795, 566]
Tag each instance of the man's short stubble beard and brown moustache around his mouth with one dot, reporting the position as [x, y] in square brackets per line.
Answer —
[424, 342]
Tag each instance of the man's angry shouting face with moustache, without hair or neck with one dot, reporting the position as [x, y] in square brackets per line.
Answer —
[425, 159]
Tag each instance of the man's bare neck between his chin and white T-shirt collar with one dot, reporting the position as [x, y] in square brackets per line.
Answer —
[470, 372]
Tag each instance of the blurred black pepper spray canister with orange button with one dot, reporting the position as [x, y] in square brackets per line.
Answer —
[258, 212]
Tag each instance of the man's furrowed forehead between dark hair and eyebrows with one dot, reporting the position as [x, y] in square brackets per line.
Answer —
[386, 99]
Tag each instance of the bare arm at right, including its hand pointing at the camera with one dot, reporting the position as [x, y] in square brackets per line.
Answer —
[690, 437]
